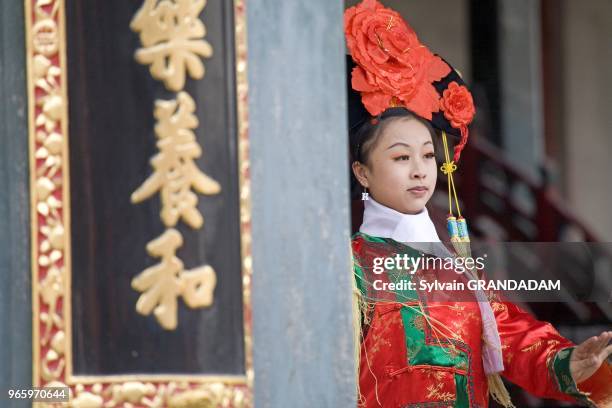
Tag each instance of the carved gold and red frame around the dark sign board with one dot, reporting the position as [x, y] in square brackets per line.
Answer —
[50, 235]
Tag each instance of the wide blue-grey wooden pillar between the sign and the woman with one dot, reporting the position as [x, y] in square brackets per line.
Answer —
[303, 350]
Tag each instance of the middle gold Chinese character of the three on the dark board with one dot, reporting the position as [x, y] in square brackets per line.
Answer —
[175, 171]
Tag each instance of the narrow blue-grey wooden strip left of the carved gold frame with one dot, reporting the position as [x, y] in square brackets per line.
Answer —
[15, 298]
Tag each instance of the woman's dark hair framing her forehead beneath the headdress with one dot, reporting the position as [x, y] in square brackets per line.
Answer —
[364, 136]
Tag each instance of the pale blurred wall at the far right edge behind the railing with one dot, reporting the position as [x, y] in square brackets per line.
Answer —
[587, 65]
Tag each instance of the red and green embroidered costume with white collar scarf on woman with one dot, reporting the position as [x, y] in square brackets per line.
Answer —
[418, 351]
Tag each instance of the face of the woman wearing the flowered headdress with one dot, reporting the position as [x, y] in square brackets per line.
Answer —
[401, 171]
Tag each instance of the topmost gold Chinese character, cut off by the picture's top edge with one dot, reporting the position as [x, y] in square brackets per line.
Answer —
[172, 36]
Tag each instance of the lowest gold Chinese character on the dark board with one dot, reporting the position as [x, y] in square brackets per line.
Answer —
[163, 283]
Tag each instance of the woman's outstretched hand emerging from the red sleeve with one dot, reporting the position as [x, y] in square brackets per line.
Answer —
[588, 356]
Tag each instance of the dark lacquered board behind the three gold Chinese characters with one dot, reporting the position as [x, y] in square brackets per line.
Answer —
[111, 139]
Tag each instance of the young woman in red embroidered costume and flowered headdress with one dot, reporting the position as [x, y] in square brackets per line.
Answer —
[420, 348]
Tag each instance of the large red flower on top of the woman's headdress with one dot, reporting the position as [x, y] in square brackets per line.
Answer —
[393, 67]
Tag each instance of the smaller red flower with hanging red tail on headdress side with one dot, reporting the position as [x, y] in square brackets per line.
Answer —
[458, 107]
